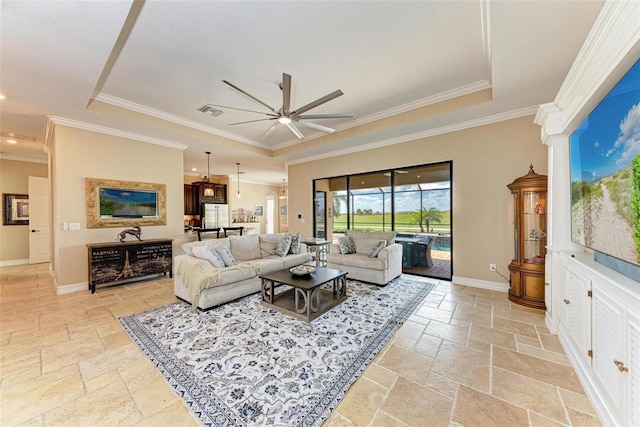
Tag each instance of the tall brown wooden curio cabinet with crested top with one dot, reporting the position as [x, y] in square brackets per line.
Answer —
[530, 239]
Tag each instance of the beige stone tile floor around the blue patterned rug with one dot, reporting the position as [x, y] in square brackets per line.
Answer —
[466, 357]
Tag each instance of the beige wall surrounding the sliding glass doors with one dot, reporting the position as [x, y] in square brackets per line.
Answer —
[485, 159]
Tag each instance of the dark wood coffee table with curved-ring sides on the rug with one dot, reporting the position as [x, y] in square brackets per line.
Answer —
[306, 300]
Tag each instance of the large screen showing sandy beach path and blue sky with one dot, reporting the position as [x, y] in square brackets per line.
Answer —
[605, 173]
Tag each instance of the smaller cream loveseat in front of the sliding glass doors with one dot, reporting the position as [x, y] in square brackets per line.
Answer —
[383, 268]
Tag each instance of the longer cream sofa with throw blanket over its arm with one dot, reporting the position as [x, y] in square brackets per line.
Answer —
[197, 281]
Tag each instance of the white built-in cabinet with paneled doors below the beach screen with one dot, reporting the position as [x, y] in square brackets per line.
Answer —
[599, 328]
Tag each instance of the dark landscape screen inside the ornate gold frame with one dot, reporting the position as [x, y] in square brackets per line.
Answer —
[124, 203]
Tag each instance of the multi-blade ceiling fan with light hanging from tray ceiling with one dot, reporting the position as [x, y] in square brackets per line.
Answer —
[284, 116]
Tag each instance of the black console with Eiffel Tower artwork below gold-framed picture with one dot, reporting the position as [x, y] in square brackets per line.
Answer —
[116, 263]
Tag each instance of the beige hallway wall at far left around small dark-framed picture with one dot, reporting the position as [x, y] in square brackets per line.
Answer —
[14, 178]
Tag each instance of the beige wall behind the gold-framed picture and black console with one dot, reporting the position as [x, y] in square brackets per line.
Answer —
[78, 154]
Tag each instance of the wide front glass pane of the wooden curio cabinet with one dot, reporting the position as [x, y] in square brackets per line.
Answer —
[534, 224]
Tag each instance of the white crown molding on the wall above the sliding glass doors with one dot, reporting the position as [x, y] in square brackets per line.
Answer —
[495, 118]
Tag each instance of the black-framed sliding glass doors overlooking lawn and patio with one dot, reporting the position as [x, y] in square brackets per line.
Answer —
[415, 201]
